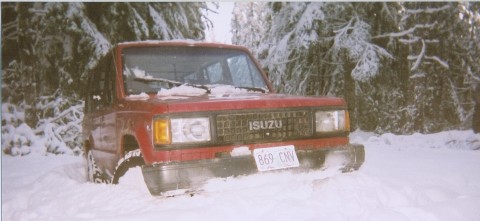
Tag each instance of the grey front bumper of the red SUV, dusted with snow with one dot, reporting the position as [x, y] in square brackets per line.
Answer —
[162, 178]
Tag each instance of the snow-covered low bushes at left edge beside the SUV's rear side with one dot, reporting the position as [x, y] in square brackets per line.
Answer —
[58, 134]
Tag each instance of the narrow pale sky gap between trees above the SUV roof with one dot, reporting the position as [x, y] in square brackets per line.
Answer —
[221, 23]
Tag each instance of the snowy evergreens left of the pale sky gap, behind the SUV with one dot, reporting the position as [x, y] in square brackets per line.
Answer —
[48, 47]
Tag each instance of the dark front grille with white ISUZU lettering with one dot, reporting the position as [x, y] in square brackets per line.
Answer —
[263, 126]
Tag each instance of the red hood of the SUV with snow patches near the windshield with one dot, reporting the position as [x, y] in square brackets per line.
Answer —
[219, 102]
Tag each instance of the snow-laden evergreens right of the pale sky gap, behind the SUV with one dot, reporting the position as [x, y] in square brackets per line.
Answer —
[402, 66]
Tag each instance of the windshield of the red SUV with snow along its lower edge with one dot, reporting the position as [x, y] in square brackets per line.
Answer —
[150, 69]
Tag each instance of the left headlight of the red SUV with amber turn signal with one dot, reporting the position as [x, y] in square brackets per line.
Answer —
[181, 130]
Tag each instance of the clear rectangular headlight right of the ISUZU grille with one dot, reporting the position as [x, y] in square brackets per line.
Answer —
[332, 121]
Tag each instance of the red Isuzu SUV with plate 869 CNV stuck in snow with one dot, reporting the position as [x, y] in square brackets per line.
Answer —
[189, 111]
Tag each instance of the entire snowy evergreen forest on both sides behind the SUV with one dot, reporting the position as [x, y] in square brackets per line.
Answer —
[403, 67]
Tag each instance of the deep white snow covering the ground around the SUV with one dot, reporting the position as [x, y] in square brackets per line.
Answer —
[416, 177]
